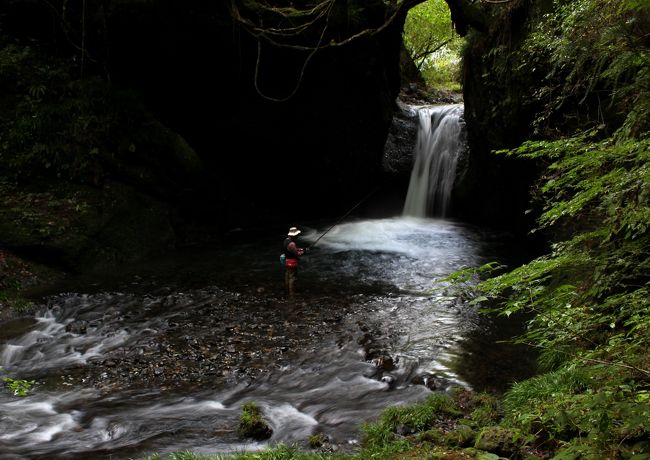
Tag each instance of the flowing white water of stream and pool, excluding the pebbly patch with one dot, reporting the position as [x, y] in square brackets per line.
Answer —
[380, 270]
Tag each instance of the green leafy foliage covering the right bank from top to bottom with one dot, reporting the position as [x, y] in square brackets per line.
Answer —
[588, 296]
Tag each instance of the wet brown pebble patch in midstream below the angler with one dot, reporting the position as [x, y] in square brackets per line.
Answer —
[228, 345]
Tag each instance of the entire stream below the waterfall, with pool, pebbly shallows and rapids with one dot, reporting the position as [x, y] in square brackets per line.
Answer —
[161, 359]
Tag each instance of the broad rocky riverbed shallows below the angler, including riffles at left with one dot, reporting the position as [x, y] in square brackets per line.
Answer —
[201, 339]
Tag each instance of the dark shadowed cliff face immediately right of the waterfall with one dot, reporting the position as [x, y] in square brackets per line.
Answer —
[499, 113]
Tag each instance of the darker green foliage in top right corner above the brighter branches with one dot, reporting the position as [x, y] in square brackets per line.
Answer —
[596, 63]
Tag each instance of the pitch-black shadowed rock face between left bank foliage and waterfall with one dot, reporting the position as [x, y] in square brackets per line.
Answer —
[196, 70]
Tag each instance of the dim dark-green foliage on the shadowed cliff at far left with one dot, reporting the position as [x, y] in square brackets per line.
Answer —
[52, 125]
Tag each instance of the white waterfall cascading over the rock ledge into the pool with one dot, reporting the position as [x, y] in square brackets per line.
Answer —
[439, 143]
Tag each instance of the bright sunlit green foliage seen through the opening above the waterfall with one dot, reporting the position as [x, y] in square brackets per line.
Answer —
[434, 46]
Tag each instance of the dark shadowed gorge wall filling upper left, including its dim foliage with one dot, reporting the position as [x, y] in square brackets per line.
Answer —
[230, 155]
